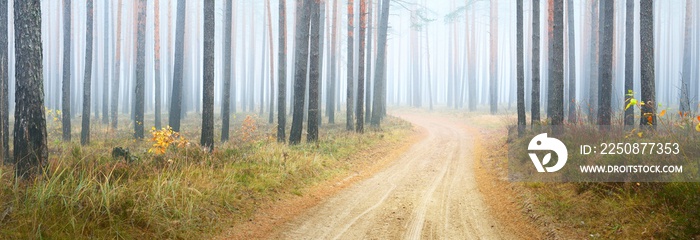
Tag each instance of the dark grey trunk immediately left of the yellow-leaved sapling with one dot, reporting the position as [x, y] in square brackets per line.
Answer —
[139, 93]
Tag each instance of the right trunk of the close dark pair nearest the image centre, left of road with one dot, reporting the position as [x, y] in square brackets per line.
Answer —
[315, 69]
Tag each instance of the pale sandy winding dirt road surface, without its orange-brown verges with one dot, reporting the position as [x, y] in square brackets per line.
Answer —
[430, 192]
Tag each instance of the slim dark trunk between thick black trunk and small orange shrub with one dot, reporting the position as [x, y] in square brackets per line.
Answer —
[226, 92]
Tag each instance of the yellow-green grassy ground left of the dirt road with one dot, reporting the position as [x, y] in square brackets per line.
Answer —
[183, 194]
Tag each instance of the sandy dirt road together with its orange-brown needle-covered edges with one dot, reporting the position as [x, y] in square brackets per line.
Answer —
[429, 189]
